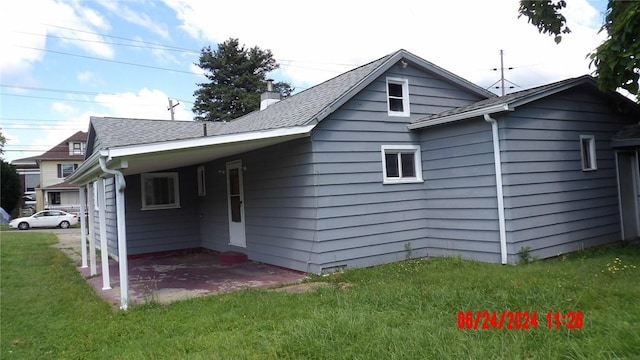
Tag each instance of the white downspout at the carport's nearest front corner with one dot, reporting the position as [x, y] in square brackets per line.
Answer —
[120, 185]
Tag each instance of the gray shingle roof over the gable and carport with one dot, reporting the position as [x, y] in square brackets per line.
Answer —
[304, 108]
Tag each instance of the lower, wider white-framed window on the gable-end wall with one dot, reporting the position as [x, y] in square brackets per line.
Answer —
[401, 164]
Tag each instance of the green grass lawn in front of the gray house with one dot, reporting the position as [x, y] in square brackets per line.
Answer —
[406, 310]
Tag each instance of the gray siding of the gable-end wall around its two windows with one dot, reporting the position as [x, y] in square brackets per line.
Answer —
[362, 221]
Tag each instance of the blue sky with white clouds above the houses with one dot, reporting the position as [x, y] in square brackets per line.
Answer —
[66, 60]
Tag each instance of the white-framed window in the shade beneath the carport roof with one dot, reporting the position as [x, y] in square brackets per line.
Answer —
[160, 191]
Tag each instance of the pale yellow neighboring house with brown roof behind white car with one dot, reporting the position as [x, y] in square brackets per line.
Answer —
[56, 164]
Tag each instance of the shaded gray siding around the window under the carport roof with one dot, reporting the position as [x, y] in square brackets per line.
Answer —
[150, 231]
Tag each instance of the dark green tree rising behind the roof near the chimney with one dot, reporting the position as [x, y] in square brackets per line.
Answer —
[237, 76]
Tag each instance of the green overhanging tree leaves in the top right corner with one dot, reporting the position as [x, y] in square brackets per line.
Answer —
[617, 59]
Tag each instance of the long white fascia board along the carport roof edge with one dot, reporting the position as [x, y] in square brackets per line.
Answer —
[204, 141]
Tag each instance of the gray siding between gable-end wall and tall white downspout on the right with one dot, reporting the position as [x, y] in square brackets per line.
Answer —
[460, 191]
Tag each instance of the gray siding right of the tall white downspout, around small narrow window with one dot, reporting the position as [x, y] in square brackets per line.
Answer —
[551, 205]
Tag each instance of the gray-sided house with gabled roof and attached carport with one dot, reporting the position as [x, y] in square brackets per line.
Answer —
[396, 157]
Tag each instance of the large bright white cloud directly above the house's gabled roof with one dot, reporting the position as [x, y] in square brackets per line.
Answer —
[462, 37]
